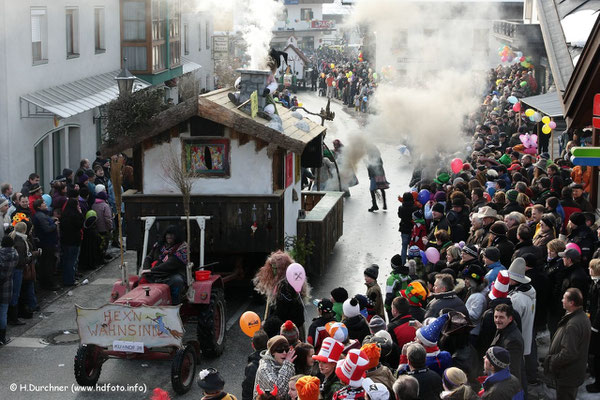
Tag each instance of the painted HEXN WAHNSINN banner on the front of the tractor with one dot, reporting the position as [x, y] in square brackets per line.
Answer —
[116, 323]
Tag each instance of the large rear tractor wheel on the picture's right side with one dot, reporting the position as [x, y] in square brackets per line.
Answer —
[211, 325]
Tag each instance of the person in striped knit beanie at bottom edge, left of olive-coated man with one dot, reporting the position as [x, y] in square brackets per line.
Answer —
[501, 383]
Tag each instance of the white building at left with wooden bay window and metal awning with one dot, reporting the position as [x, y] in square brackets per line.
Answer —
[59, 61]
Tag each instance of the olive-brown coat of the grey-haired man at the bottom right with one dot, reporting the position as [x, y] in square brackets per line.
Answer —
[567, 358]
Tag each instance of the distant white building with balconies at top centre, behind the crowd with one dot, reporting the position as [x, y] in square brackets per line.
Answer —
[303, 19]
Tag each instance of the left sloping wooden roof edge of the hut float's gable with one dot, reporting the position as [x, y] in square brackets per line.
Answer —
[162, 122]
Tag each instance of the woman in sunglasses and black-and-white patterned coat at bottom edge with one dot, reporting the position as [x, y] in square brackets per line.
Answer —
[276, 366]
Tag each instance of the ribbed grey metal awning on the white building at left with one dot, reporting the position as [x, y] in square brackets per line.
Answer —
[75, 97]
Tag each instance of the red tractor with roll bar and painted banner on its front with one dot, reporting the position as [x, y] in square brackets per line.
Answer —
[141, 323]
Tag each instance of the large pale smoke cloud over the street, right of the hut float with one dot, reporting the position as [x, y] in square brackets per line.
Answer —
[435, 55]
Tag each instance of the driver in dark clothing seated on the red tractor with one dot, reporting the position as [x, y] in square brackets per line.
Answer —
[166, 262]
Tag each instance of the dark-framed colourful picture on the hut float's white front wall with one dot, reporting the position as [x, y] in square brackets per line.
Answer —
[205, 156]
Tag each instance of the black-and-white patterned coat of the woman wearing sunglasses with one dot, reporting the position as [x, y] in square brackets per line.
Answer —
[269, 374]
